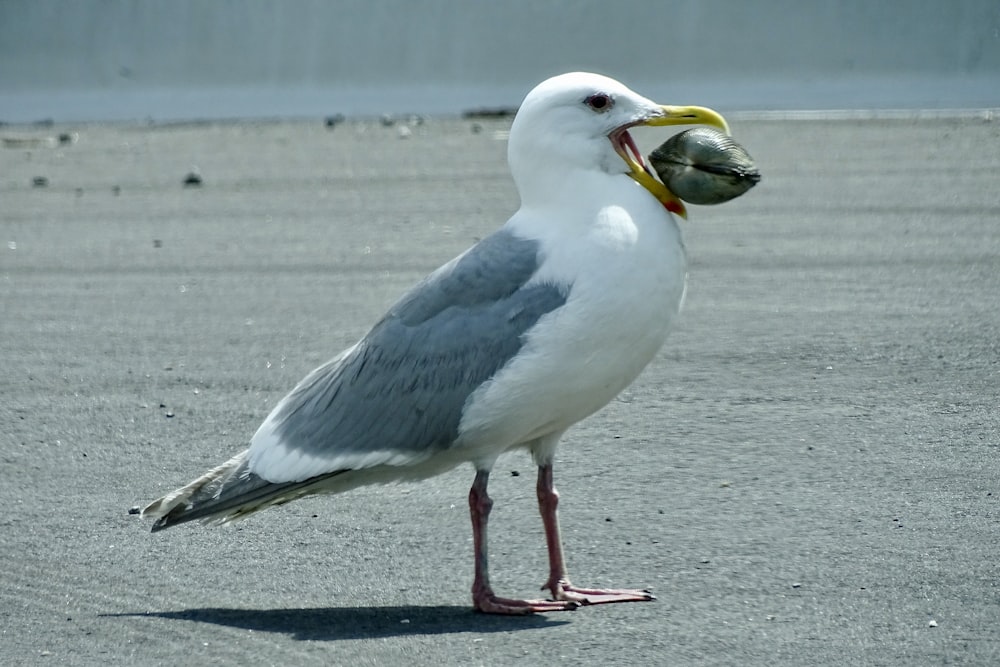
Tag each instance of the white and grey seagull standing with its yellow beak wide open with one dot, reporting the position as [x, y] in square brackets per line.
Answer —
[505, 347]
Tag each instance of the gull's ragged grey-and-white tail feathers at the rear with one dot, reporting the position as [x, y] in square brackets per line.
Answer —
[225, 493]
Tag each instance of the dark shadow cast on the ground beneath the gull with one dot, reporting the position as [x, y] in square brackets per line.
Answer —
[337, 623]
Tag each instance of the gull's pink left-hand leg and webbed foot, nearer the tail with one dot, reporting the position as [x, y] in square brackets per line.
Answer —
[483, 598]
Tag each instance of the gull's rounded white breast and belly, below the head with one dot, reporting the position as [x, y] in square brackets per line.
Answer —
[625, 261]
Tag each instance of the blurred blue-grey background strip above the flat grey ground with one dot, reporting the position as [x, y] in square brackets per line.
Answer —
[191, 59]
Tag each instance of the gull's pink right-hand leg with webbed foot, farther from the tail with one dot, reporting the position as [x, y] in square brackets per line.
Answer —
[558, 583]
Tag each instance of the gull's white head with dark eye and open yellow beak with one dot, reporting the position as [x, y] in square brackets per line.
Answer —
[582, 120]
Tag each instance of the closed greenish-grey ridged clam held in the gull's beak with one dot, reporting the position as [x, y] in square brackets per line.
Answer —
[704, 166]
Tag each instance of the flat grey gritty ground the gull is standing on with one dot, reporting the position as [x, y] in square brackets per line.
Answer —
[807, 474]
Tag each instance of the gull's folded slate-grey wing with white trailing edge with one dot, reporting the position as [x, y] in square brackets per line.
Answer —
[400, 391]
